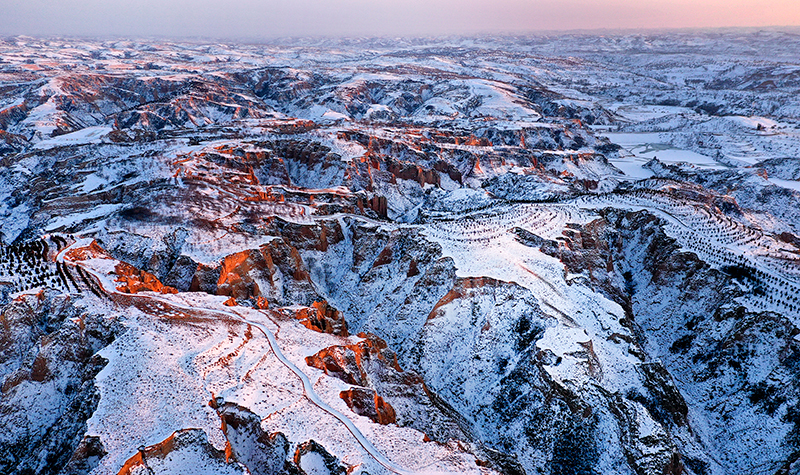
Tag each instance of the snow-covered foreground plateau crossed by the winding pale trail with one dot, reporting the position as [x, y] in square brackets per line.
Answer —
[154, 384]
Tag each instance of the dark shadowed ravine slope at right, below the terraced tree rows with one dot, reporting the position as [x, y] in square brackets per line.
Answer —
[732, 368]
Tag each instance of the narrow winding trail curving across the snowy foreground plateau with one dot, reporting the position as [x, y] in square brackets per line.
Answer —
[308, 389]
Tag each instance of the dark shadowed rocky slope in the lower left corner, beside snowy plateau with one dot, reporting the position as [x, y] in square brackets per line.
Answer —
[48, 368]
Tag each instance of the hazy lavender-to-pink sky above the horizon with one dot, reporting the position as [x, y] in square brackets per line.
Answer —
[280, 18]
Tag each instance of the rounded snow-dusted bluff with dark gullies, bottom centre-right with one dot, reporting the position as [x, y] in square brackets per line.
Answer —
[489, 332]
